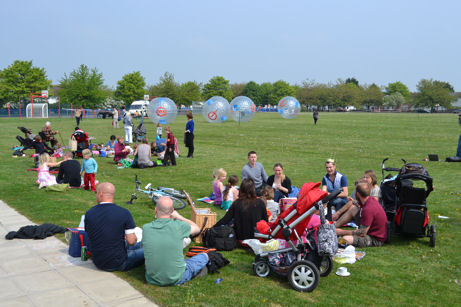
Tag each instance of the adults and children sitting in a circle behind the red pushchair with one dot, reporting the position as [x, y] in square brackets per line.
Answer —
[362, 207]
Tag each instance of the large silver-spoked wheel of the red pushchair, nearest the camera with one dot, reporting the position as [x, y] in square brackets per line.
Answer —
[303, 276]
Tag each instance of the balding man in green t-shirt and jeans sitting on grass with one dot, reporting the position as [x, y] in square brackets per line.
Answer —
[162, 242]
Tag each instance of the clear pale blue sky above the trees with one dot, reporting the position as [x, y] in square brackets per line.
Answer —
[262, 41]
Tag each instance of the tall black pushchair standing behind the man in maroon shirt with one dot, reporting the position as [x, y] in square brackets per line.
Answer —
[405, 203]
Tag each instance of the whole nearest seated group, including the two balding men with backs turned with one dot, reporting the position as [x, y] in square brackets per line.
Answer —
[115, 246]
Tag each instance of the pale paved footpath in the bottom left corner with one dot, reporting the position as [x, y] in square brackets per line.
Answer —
[41, 273]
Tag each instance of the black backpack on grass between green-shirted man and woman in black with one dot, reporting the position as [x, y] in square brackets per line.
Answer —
[221, 237]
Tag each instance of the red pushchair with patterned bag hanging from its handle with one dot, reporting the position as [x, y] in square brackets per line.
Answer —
[304, 262]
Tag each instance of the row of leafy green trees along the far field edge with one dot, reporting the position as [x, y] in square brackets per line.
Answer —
[85, 86]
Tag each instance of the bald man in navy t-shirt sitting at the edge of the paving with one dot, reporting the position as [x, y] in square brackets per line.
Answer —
[111, 232]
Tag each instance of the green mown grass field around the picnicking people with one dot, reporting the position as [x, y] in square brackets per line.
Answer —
[406, 272]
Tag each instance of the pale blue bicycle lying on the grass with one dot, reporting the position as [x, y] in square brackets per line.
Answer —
[176, 196]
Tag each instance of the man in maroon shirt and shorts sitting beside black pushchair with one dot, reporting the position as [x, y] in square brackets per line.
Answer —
[373, 221]
